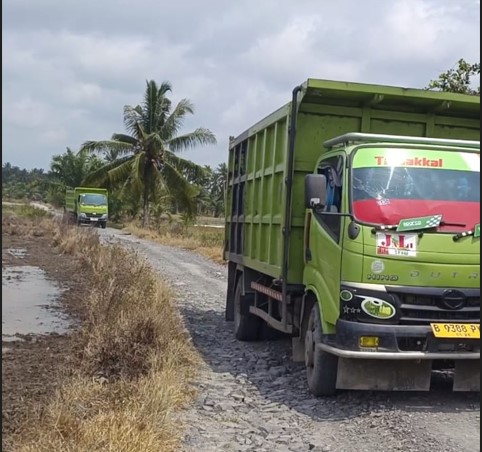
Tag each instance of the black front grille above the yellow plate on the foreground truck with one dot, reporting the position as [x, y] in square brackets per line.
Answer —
[424, 309]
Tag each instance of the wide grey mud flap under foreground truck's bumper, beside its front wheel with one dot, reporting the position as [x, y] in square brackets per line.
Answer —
[384, 375]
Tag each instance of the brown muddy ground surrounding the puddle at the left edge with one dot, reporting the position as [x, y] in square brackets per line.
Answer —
[33, 366]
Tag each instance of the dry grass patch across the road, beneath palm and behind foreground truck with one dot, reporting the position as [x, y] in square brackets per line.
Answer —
[205, 240]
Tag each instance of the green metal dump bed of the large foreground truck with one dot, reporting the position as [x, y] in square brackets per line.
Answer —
[258, 159]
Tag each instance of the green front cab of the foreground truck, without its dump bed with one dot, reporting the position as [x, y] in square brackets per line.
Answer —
[392, 255]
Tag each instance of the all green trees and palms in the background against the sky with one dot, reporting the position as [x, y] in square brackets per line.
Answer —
[142, 169]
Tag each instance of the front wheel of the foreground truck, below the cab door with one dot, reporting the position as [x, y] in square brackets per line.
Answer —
[321, 367]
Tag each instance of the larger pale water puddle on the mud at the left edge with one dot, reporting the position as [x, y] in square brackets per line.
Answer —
[29, 303]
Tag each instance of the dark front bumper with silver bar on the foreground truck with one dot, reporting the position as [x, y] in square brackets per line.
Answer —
[397, 342]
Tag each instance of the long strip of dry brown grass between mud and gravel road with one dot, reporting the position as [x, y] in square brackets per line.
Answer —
[137, 360]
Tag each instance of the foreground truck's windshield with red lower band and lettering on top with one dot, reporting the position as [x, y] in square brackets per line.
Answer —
[393, 184]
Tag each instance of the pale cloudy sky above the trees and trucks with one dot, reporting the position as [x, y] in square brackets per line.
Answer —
[69, 67]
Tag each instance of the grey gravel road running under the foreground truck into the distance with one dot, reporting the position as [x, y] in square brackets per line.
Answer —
[253, 398]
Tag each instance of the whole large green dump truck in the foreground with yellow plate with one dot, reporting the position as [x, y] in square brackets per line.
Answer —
[352, 225]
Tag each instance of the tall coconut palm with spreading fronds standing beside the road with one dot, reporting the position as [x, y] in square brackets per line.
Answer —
[147, 161]
